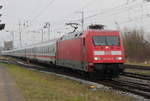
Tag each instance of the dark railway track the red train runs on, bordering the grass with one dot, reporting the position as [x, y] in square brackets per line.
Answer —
[137, 88]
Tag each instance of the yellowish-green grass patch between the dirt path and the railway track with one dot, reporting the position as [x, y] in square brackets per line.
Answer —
[37, 86]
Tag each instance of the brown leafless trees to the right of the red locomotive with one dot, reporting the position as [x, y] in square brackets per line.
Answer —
[136, 47]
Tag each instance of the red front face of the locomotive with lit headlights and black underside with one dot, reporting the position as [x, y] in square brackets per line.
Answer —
[105, 52]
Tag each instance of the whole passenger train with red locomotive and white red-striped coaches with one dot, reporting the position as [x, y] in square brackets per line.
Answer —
[93, 51]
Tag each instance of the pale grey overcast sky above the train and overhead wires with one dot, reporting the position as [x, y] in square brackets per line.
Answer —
[34, 13]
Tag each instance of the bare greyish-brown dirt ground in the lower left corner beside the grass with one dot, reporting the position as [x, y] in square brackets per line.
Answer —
[8, 88]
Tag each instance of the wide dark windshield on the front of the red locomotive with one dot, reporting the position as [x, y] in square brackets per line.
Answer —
[106, 40]
